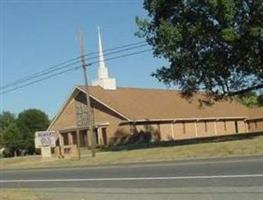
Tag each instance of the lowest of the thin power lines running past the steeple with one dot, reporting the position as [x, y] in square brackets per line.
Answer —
[71, 69]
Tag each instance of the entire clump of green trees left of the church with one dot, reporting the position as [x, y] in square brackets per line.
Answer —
[17, 132]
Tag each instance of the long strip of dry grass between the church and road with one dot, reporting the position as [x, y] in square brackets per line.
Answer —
[253, 146]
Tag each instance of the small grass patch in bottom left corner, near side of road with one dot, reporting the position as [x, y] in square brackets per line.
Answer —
[18, 194]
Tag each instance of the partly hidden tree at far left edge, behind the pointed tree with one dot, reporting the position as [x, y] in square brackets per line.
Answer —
[6, 118]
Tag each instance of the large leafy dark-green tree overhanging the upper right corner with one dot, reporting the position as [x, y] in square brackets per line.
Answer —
[212, 45]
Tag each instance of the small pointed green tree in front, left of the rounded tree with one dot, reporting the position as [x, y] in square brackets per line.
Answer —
[13, 139]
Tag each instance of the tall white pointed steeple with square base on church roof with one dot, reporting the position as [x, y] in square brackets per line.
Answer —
[103, 76]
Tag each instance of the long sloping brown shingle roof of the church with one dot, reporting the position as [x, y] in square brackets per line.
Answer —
[136, 103]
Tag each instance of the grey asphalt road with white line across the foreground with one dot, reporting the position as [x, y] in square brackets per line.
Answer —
[240, 178]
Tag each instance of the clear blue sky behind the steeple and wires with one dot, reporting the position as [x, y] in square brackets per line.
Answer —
[37, 34]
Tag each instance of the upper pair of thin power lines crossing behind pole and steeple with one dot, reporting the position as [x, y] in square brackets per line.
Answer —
[67, 64]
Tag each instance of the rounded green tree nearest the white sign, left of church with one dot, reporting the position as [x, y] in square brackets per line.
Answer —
[28, 122]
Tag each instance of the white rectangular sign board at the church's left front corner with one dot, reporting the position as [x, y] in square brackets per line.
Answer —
[45, 139]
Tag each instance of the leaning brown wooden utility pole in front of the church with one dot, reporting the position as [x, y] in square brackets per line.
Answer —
[91, 123]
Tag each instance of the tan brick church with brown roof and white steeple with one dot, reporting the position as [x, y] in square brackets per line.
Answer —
[120, 111]
